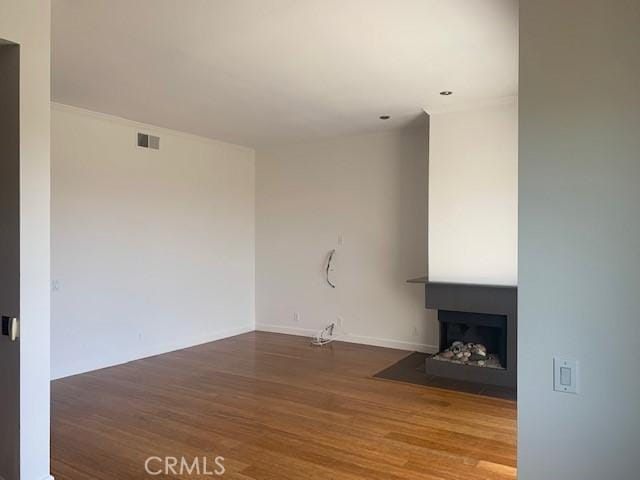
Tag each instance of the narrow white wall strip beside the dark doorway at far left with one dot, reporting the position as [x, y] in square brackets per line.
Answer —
[27, 22]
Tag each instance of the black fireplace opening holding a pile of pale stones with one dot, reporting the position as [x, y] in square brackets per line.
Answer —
[473, 339]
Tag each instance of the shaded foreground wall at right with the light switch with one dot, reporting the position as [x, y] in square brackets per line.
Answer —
[579, 238]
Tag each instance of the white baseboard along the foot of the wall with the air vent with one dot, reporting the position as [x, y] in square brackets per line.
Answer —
[150, 351]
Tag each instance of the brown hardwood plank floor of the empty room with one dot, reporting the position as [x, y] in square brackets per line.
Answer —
[276, 408]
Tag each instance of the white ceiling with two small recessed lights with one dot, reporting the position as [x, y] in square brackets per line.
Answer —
[258, 72]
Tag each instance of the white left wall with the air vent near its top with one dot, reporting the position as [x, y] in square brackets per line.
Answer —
[153, 250]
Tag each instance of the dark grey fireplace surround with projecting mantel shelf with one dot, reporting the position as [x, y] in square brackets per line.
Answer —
[481, 314]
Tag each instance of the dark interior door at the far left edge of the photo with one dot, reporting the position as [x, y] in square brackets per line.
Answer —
[9, 261]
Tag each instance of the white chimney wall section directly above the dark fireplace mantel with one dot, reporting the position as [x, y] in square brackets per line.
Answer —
[473, 195]
